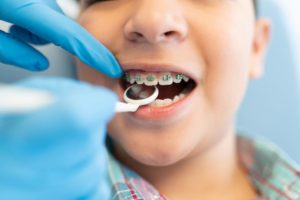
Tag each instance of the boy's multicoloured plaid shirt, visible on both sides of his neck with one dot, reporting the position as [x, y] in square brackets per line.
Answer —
[272, 173]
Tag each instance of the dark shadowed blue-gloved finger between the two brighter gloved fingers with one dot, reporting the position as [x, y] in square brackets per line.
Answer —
[26, 36]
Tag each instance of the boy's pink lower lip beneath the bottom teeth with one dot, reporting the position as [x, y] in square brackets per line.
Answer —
[162, 113]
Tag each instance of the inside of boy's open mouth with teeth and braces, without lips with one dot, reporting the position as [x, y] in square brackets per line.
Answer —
[172, 86]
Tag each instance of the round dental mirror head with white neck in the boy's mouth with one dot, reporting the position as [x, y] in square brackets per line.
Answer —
[136, 96]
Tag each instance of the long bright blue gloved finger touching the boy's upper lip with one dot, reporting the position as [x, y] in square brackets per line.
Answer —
[64, 32]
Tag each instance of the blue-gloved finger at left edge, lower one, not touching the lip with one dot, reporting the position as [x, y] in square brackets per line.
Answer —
[20, 54]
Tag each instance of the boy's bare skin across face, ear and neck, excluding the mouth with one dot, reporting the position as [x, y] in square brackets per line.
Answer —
[222, 44]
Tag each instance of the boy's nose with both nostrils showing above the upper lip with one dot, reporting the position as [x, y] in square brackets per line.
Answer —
[156, 21]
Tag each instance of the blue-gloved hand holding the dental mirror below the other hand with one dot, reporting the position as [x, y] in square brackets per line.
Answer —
[57, 152]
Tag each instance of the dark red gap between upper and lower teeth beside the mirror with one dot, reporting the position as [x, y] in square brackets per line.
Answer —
[169, 91]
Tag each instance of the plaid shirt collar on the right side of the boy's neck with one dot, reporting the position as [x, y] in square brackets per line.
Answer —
[271, 171]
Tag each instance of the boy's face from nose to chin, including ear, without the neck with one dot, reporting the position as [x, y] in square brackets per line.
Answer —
[217, 44]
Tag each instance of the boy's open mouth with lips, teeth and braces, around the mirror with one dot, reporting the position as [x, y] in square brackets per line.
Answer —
[175, 90]
